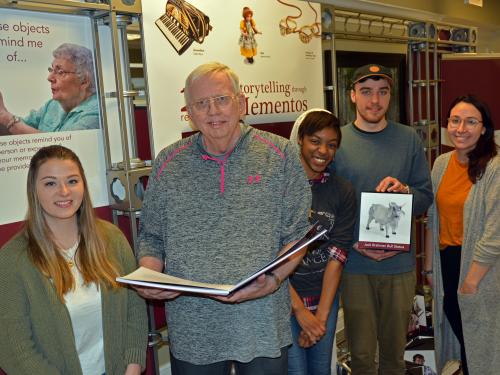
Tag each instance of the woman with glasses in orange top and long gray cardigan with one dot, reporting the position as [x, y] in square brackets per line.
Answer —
[462, 259]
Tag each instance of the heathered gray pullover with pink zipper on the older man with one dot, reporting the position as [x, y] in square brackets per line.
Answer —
[218, 220]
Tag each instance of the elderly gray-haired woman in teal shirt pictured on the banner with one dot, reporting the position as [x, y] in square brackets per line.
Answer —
[74, 103]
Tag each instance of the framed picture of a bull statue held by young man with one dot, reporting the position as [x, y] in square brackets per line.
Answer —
[385, 221]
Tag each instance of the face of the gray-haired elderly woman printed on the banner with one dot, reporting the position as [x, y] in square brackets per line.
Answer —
[65, 84]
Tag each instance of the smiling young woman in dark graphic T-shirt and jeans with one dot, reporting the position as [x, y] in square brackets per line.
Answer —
[314, 284]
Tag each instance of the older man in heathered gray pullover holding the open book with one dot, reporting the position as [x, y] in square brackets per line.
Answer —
[219, 205]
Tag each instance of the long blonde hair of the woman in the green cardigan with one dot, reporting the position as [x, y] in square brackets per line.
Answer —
[92, 258]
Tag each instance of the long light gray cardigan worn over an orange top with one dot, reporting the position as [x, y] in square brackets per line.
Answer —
[481, 243]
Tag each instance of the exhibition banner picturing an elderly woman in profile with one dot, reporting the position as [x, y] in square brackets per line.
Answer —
[38, 95]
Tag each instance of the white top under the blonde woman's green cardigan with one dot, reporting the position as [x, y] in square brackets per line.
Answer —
[85, 310]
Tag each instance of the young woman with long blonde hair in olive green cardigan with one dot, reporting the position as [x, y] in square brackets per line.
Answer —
[61, 309]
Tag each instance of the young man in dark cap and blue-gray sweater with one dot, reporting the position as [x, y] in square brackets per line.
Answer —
[377, 285]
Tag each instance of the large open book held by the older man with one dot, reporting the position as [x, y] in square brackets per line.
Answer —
[149, 278]
